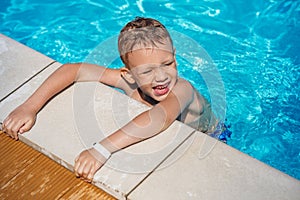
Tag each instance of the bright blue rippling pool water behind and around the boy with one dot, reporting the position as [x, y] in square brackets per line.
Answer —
[254, 45]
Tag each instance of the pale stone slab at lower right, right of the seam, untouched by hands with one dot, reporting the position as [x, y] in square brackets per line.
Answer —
[213, 170]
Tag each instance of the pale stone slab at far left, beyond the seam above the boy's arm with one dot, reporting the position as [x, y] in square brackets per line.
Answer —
[18, 63]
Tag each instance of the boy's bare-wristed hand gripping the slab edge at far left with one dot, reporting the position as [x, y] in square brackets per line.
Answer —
[19, 121]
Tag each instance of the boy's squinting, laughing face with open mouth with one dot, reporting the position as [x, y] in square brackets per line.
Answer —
[154, 70]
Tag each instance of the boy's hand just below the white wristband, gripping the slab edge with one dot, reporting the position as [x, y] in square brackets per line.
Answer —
[88, 163]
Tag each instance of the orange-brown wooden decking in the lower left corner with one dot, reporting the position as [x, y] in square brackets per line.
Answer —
[27, 174]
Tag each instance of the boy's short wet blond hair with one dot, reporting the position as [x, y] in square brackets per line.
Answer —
[142, 33]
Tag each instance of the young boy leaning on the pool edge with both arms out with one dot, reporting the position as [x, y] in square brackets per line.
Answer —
[149, 76]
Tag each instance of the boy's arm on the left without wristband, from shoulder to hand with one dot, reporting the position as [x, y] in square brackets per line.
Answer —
[23, 117]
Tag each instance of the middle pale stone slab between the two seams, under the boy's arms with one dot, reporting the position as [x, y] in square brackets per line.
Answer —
[85, 113]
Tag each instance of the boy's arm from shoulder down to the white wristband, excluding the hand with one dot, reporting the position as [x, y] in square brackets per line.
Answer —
[153, 121]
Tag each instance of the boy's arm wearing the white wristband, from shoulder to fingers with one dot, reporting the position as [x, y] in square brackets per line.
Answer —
[145, 125]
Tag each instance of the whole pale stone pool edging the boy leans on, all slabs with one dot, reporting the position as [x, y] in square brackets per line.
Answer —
[179, 163]
